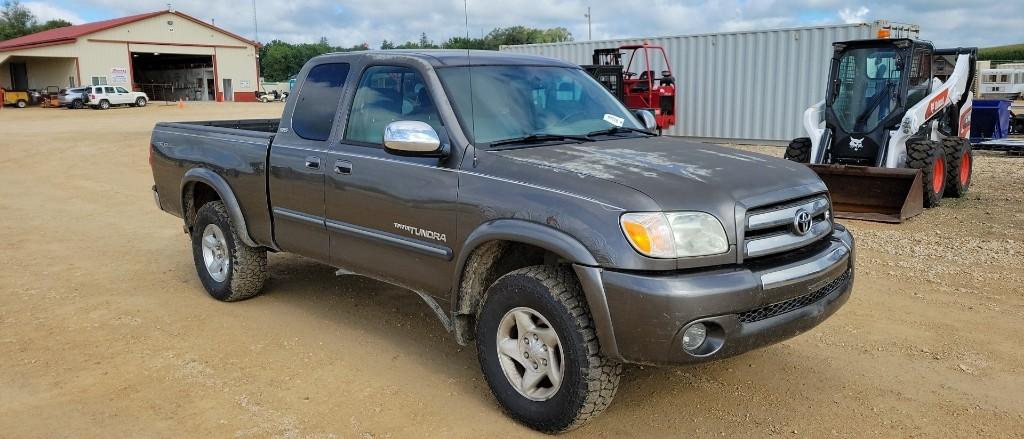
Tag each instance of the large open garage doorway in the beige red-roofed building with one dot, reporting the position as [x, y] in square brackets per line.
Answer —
[173, 77]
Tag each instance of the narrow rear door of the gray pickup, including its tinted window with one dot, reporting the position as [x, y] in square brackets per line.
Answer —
[298, 161]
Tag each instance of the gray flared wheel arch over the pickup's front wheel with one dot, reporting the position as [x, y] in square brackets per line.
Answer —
[499, 247]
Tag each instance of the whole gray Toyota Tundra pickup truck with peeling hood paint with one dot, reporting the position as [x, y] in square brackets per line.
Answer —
[537, 216]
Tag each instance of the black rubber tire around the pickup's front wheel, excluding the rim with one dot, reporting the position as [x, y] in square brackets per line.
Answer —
[590, 379]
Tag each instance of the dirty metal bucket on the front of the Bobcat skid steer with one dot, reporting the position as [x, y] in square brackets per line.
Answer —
[881, 195]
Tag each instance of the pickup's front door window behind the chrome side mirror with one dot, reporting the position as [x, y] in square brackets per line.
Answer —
[388, 95]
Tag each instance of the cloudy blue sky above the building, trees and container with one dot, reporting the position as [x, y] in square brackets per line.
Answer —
[948, 23]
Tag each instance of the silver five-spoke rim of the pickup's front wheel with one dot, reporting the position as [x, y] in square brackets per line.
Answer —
[531, 355]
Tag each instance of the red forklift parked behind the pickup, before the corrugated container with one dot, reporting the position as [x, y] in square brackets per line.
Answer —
[638, 87]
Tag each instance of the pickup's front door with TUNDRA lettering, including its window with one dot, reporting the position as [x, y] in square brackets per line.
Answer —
[392, 217]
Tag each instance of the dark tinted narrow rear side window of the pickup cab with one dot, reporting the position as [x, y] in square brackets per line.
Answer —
[318, 102]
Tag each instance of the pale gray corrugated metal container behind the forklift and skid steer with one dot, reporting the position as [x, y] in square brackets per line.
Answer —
[741, 86]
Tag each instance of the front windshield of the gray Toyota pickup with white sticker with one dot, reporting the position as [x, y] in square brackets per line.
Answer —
[529, 102]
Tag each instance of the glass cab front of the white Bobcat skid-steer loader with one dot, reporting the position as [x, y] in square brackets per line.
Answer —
[869, 89]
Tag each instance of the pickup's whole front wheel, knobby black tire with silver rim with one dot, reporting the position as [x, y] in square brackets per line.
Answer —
[553, 301]
